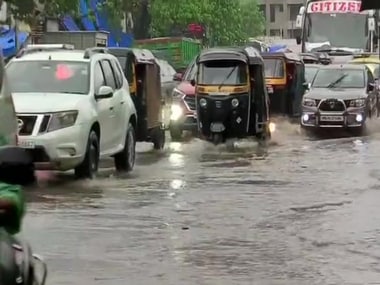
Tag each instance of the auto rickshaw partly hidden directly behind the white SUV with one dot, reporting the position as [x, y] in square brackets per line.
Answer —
[143, 74]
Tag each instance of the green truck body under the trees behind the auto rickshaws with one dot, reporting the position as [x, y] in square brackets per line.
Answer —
[178, 51]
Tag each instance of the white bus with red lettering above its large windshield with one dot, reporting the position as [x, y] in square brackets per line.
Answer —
[336, 26]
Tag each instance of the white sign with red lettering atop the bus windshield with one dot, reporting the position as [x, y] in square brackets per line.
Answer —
[334, 7]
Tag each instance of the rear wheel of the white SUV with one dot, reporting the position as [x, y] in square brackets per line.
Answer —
[125, 160]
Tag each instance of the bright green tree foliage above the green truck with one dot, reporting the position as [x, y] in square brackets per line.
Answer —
[228, 22]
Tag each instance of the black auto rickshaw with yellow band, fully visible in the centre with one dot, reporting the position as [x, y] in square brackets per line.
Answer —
[231, 99]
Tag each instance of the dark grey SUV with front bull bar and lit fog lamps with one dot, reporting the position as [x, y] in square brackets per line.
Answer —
[341, 96]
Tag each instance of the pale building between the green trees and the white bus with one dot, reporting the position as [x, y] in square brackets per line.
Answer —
[280, 16]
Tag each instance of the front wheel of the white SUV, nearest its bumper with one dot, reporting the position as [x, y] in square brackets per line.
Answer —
[89, 166]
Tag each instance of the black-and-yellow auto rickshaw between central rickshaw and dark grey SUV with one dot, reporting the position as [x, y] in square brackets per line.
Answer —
[286, 84]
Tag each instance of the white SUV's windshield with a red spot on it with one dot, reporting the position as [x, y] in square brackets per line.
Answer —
[49, 77]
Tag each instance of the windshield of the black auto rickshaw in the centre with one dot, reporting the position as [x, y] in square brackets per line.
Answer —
[223, 72]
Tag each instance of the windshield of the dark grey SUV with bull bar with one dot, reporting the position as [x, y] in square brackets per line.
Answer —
[344, 78]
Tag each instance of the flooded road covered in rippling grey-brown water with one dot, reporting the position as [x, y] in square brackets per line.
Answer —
[299, 212]
